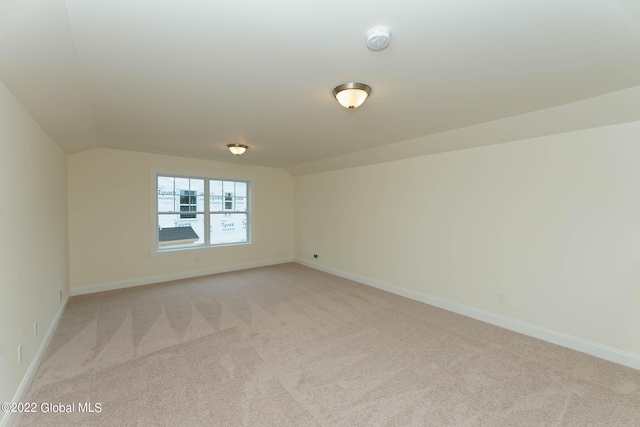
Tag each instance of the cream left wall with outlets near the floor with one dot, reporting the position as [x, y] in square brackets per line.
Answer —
[34, 250]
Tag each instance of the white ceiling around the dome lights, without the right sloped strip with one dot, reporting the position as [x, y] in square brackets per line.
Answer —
[188, 77]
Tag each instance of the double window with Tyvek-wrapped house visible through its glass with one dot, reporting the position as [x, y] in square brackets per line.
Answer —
[187, 219]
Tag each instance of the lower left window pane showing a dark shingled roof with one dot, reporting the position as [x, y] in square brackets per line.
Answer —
[175, 232]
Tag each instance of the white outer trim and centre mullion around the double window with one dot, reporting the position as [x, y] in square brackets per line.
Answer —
[156, 251]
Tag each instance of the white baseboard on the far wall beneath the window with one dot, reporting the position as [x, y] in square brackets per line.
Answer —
[177, 276]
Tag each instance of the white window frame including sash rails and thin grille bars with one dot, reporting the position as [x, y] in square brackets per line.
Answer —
[207, 213]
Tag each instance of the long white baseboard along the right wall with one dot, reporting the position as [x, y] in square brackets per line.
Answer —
[594, 349]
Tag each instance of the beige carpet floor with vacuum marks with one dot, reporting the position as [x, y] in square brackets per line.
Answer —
[291, 346]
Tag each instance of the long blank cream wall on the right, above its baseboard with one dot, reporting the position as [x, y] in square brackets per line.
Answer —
[553, 222]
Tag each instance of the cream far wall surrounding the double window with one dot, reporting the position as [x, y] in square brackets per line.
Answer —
[111, 217]
